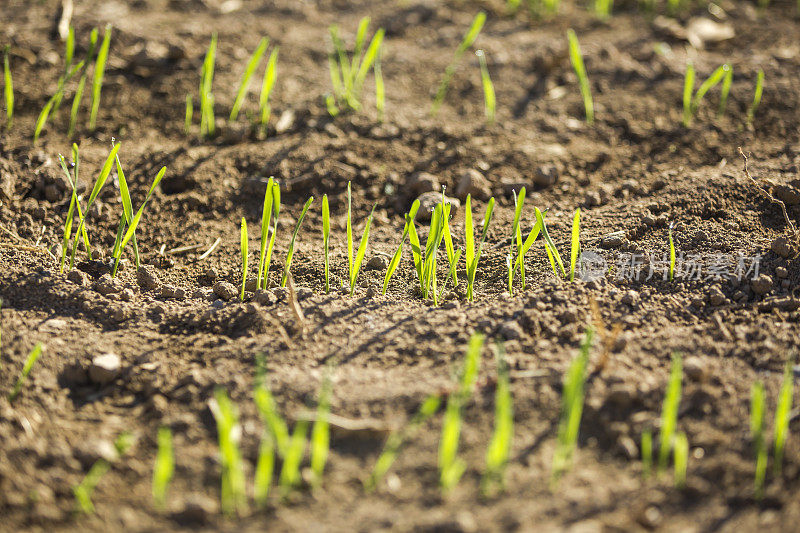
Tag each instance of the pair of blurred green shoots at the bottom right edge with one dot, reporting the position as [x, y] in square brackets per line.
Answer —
[781, 430]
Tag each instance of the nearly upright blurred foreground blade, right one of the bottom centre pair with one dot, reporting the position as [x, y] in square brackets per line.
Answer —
[499, 450]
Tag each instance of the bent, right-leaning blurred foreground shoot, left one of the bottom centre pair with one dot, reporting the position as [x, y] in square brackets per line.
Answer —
[452, 467]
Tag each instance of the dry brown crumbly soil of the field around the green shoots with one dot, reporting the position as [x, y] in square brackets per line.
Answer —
[636, 171]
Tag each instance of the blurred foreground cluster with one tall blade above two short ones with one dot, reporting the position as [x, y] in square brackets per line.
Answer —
[670, 440]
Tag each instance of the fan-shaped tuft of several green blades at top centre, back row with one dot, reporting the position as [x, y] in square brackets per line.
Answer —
[349, 73]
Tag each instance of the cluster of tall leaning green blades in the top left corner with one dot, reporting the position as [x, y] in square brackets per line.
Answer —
[79, 70]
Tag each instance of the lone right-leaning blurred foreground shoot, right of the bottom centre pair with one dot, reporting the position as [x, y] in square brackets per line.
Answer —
[571, 409]
